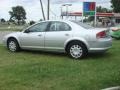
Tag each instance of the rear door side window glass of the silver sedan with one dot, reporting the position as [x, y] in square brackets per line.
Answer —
[59, 26]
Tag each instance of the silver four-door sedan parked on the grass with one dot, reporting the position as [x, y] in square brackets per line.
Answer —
[71, 37]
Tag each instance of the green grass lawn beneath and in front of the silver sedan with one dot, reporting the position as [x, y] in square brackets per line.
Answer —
[48, 71]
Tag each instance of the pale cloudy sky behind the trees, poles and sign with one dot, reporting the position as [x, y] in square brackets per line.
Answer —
[33, 8]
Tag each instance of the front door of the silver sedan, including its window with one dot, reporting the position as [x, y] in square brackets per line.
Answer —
[33, 37]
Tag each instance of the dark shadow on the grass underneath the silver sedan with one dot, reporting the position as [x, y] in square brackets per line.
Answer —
[60, 54]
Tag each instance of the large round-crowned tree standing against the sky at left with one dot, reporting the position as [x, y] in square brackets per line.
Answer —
[17, 14]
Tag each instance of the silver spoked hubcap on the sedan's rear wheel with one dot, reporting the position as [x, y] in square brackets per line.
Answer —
[76, 51]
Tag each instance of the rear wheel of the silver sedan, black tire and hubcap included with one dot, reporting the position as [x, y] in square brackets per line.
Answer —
[77, 50]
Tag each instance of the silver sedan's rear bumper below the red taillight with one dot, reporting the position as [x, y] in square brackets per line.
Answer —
[101, 45]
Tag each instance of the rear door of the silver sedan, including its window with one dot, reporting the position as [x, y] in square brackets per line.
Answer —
[56, 35]
